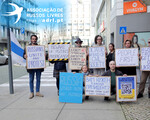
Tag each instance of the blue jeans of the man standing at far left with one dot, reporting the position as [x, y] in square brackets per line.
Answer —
[38, 80]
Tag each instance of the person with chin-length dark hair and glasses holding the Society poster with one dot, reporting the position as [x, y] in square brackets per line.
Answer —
[98, 43]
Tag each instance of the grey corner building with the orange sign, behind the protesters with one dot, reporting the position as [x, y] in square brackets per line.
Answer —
[111, 15]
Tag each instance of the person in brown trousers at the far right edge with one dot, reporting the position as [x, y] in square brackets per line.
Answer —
[144, 77]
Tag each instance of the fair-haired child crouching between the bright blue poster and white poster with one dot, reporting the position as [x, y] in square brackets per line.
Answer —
[85, 71]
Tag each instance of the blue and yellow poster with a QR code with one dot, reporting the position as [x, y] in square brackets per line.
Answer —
[126, 88]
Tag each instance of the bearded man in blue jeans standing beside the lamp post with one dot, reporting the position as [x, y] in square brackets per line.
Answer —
[31, 72]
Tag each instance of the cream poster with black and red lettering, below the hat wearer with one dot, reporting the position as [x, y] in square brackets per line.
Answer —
[77, 58]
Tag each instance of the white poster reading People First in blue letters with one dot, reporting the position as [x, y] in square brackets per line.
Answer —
[127, 57]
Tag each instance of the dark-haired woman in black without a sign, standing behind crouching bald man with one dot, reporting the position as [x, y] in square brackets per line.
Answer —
[111, 55]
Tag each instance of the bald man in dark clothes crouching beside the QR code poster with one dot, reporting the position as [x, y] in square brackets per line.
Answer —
[113, 73]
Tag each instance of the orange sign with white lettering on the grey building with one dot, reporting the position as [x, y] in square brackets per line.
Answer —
[134, 7]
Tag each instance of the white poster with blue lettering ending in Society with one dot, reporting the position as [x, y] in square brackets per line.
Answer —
[97, 57]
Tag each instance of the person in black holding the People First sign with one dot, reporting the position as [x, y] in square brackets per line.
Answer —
[128, 70]
